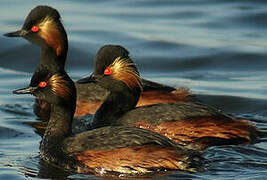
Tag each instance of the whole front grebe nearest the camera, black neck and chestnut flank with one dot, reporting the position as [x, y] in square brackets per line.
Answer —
[117, 149]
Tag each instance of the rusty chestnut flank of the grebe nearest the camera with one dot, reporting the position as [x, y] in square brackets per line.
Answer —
[137, 159]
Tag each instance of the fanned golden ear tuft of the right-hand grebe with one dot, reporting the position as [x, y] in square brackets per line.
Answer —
[125, 70]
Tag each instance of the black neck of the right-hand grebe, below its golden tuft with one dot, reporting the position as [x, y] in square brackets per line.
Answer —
[116, 104]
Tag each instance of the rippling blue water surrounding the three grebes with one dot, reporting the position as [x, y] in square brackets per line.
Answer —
[216, 48]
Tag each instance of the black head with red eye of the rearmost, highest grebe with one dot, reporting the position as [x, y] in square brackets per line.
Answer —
[43, 27]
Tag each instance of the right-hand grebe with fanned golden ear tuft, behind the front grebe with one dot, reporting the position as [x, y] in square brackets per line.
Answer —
[183, 122]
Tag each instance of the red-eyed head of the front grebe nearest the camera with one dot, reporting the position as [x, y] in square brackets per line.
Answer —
[55, 88]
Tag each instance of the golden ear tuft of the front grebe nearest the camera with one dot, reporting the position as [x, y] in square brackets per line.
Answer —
[59, 86]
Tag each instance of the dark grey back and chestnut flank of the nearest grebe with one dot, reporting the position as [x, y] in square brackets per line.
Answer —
[128, 150]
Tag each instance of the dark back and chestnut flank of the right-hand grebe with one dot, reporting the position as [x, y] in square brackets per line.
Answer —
[190, 122]
